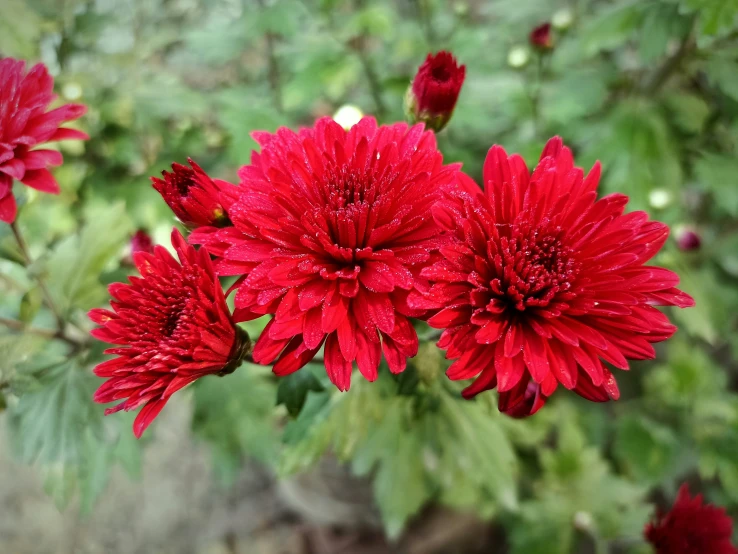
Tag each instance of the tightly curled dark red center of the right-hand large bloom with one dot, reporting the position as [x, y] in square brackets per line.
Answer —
[531, 266]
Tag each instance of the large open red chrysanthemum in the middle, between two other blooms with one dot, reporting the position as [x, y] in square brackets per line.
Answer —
[329, 233]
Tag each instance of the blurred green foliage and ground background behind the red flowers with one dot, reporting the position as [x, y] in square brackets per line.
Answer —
[649, 87]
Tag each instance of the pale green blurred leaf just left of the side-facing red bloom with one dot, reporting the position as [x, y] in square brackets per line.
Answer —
[76, 263]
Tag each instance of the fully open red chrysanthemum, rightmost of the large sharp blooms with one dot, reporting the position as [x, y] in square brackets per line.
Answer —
[544, 283]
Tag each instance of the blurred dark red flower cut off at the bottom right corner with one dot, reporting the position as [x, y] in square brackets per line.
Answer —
[691, 527]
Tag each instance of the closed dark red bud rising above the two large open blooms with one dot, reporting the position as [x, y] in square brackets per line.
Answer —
[432, 95]
